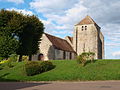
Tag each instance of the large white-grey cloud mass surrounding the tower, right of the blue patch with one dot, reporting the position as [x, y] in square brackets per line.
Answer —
[66, 13]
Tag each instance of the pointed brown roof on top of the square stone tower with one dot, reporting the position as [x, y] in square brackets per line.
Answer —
[87, 20]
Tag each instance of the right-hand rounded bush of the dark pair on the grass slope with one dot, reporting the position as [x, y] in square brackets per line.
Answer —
[46, 66]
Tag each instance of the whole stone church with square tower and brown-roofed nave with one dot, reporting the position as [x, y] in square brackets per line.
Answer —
[87, 37]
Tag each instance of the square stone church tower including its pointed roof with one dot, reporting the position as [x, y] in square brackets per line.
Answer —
[88, 37]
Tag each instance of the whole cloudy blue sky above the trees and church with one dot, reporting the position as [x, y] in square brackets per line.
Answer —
[60, 16]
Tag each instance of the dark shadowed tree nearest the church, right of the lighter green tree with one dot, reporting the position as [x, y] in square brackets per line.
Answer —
[30, 37]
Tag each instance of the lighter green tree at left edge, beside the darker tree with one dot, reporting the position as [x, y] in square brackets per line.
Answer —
[8, 44]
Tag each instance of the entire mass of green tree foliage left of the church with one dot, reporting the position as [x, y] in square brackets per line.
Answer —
[22, 31]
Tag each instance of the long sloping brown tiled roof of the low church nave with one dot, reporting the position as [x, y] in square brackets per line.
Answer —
[59, 43]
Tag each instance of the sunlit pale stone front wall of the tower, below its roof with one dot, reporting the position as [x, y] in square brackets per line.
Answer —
[86, 39]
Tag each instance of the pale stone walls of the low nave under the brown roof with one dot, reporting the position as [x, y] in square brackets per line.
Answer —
[51, 53]
